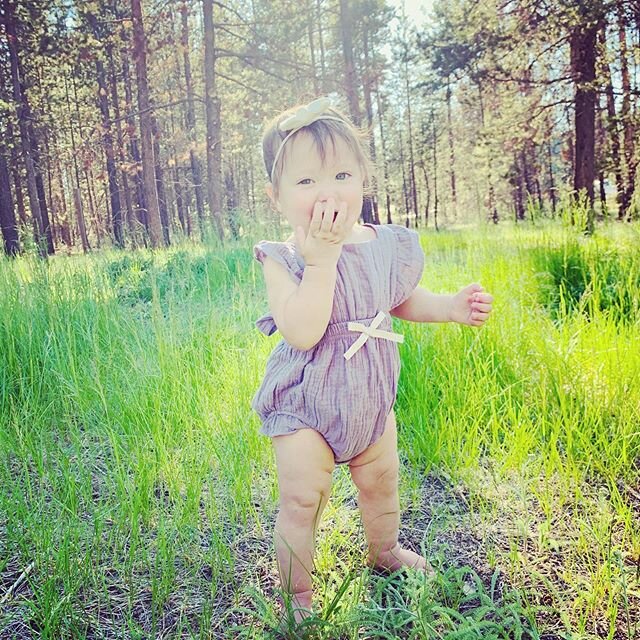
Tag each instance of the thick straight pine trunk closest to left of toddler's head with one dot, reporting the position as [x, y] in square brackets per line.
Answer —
[214, 142]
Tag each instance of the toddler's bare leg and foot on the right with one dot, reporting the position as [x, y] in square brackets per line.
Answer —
[375, 473]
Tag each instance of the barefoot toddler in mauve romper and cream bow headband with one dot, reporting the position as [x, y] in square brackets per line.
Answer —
[329, 387]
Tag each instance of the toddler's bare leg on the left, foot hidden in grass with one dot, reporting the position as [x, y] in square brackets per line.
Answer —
[305, 462]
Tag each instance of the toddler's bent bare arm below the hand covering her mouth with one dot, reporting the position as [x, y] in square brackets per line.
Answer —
[301, 312]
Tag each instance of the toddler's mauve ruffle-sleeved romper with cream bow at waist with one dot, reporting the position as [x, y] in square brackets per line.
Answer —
[344, 391]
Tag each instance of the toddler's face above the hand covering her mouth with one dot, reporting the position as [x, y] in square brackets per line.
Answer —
[306, 179]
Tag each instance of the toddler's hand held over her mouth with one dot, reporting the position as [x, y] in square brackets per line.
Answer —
[322, 245]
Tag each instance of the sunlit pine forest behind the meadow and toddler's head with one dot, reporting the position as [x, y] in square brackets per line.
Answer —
[127, 129]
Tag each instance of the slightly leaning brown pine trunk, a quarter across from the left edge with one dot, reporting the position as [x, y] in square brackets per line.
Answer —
[146, 135]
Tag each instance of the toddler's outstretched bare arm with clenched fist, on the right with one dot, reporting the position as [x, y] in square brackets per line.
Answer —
[469, 306]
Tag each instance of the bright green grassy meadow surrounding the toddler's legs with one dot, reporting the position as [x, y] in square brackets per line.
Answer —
[137, 498]
